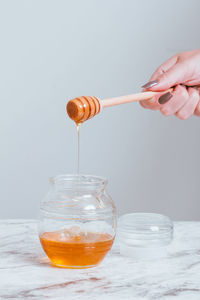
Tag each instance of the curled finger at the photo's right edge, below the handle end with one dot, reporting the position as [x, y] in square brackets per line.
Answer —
[189, 108]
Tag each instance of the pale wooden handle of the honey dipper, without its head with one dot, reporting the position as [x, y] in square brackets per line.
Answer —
[130, 98]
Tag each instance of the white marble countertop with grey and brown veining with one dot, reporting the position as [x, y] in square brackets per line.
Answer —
[25, 272]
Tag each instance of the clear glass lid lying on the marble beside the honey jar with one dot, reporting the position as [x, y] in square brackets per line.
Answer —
[144, 235]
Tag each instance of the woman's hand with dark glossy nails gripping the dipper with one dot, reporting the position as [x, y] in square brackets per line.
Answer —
[182, 72]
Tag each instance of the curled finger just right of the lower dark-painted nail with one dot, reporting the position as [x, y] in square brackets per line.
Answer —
[179, 99]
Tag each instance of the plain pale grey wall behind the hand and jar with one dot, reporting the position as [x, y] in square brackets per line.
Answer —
[52, 51]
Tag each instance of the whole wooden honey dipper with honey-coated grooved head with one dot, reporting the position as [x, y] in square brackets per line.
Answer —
[83, 108]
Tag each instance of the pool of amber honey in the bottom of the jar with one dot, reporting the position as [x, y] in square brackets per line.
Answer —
[78, 251]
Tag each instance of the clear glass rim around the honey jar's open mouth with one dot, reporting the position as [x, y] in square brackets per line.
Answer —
[79, 180]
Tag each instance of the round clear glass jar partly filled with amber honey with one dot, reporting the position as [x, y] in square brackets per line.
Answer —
[77, 221]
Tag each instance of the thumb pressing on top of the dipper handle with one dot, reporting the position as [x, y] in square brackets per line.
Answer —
[173, 76]
